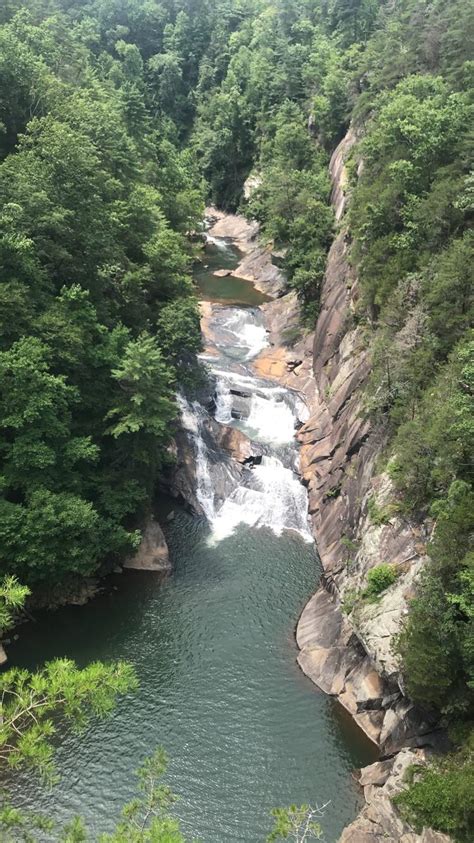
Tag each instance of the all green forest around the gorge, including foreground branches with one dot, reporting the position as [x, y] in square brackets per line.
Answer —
[119, 120]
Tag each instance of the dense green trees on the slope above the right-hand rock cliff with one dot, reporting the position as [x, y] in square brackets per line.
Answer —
[413, 247]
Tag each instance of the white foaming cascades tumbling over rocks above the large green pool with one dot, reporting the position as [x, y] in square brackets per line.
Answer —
[267, 492]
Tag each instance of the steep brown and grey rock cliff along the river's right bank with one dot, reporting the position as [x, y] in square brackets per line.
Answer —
[349, 654]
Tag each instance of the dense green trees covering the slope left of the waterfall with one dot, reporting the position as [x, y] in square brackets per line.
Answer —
[97, 314]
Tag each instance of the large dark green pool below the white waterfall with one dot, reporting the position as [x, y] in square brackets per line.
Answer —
[220, 689]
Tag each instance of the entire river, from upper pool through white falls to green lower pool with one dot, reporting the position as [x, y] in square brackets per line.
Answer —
[213, 644]
